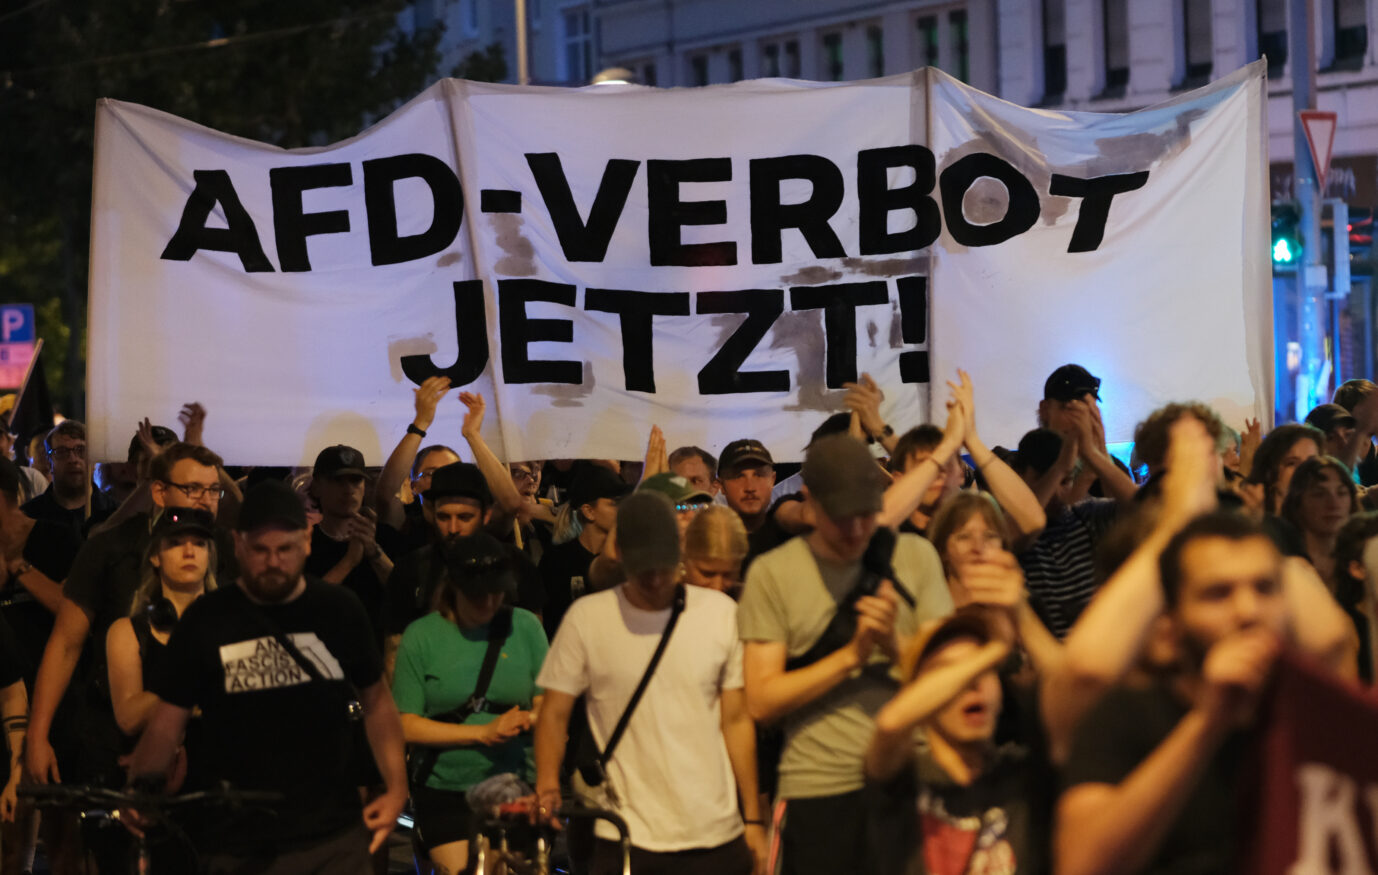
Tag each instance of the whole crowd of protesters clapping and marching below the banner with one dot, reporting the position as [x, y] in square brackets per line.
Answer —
[929, 655]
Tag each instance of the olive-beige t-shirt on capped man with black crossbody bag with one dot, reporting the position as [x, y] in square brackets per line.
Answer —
[790, 597]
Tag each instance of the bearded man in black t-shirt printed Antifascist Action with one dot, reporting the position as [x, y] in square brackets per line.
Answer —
[282, 666]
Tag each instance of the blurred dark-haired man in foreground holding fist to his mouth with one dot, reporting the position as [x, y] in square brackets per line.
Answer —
[1153, 778]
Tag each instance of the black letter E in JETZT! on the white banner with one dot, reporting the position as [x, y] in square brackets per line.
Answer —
[519, 333]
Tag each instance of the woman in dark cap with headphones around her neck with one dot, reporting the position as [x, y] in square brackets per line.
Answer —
[178, 568]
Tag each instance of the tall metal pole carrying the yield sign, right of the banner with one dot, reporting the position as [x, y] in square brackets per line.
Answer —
[1311, 290]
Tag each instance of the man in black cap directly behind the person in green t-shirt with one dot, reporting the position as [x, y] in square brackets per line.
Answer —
[457, 505]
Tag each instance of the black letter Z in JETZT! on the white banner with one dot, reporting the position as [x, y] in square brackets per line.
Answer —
[724, 375]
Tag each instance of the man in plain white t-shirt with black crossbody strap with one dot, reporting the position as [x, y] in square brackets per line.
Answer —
[690, 746]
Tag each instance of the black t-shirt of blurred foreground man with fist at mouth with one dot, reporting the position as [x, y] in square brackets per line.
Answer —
[1121, 732]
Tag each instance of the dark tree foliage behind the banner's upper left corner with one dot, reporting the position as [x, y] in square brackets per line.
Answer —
[300, 74]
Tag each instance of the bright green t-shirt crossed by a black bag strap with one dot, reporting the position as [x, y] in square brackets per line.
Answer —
[438, 669]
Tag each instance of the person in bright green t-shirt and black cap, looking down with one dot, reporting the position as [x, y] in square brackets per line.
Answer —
[455, 745]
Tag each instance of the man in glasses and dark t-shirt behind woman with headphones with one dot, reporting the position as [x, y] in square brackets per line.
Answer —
[100, 589]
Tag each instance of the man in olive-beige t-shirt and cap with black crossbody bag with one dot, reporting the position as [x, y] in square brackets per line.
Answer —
[823, 619]
